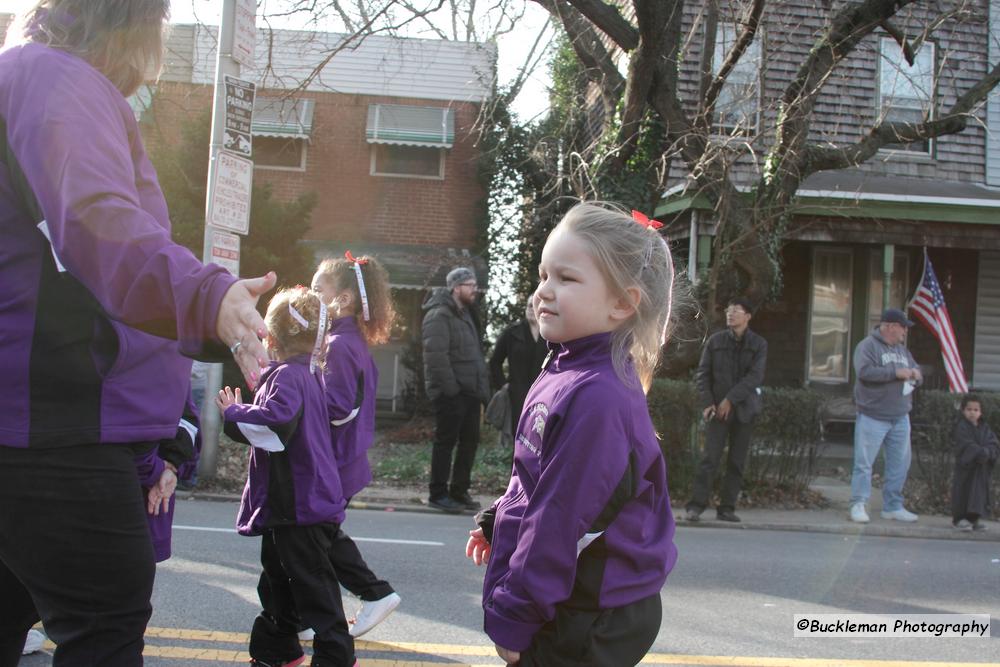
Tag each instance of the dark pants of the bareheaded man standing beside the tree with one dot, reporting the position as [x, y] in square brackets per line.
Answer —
[717, 432]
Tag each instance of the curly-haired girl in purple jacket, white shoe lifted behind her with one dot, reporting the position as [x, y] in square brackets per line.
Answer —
[358, 291]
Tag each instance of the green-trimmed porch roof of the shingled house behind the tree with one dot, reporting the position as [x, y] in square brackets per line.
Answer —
[856, 194]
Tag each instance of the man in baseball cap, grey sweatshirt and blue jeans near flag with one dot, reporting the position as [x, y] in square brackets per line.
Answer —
[886, 376]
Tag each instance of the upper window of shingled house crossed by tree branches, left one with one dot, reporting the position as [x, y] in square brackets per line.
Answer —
[739, 100]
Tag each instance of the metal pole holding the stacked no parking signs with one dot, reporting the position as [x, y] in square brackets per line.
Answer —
[236, 35]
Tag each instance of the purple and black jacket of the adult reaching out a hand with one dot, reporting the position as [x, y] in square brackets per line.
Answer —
[96, 300]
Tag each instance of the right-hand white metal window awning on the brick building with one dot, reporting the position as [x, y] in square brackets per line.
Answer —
[432, 127]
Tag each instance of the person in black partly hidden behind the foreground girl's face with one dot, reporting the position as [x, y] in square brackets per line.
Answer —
[524, 350]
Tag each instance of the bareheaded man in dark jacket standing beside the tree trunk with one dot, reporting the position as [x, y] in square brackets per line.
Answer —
[729, 376]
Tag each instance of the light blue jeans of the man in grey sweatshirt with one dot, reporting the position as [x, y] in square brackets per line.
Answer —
[869, 437]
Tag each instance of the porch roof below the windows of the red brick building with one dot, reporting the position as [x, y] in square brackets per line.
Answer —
[415, 267]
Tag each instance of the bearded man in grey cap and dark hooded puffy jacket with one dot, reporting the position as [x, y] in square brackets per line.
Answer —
[457, 383]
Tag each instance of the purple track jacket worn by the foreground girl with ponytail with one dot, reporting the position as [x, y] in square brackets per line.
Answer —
[586, 518]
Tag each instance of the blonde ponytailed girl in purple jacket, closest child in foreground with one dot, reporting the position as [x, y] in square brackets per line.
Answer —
[582, 541]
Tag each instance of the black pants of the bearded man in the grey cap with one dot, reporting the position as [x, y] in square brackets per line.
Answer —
[456, 420]
